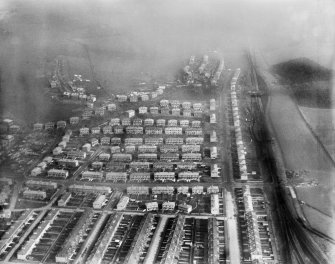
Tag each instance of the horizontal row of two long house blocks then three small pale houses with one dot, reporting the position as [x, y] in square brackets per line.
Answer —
[145, 190]
